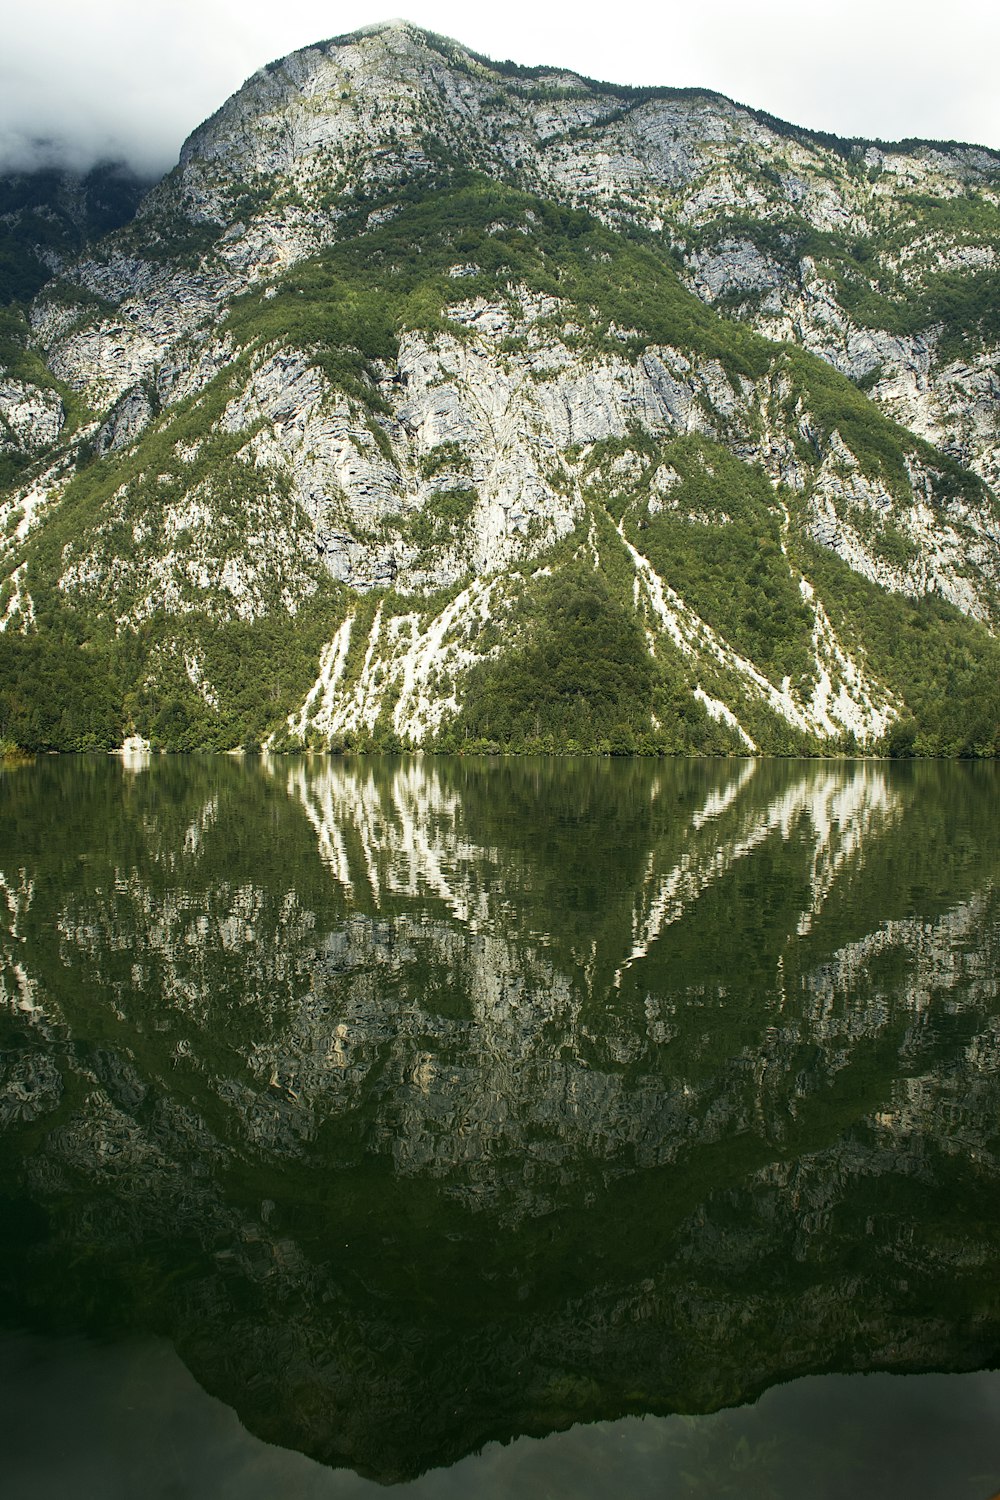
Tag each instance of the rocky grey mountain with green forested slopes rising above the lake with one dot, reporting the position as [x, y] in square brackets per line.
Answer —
[443, 403]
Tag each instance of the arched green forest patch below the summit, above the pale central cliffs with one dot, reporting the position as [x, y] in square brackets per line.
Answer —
[377, 281]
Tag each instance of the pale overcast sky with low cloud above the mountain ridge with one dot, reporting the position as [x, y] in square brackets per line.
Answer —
[131, 79]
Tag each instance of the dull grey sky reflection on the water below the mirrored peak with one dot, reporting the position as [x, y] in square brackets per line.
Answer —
[109, 1423]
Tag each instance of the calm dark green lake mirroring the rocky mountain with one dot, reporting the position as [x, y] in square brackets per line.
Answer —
[419, 1105]
